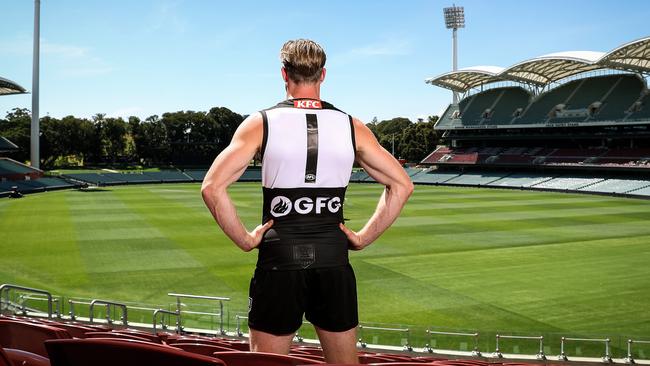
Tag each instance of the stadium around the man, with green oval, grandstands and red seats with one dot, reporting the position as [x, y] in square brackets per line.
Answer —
[525, 242]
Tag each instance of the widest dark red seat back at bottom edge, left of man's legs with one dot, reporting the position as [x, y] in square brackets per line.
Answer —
[116, 352]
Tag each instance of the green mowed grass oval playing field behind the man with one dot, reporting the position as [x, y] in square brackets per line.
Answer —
[458, 259]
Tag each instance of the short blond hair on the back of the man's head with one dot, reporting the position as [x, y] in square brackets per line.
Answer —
[303, 59]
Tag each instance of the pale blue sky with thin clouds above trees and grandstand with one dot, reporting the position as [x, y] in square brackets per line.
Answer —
[146, 57]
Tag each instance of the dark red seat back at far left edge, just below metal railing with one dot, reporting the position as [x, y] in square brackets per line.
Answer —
[28, 336]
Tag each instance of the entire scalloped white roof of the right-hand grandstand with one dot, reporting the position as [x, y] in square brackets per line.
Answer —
[542, 70]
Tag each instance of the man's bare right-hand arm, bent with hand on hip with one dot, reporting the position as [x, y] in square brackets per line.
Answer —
[383, 167]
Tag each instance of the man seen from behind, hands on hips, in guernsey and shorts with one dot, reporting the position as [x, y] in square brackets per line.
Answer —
[308, 148]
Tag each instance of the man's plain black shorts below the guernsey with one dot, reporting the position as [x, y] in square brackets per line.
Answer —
[326, 296]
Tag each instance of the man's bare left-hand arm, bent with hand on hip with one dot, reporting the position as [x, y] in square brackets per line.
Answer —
[225, 170]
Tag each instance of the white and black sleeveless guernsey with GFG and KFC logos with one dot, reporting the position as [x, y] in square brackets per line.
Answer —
[307, 155]
